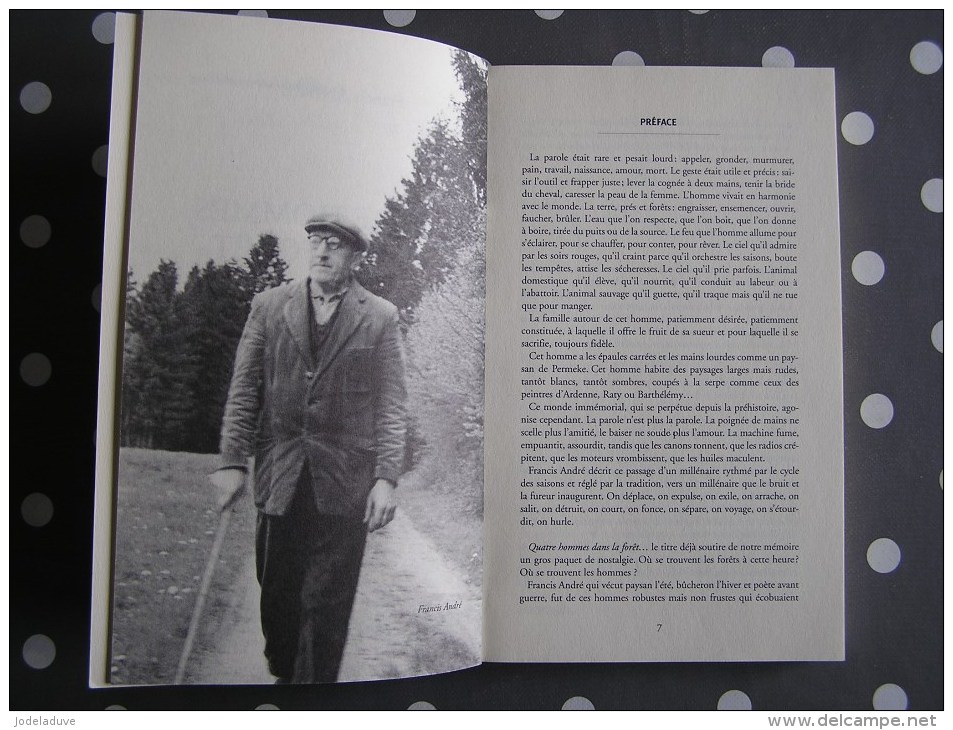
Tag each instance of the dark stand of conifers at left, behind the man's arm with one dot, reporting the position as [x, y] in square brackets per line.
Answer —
[179, 347]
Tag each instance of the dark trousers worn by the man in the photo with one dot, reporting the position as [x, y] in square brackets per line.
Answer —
[308, 566]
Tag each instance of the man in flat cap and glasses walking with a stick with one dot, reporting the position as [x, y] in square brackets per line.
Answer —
[317, 398]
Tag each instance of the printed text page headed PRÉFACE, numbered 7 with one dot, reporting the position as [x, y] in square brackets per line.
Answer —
[664, 425]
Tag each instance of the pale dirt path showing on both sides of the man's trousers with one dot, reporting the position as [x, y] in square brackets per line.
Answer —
[390, 633]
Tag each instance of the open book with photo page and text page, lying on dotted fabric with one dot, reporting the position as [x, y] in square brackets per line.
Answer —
[638, 267]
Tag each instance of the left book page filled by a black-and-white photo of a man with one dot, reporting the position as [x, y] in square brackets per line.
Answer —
[293, 308]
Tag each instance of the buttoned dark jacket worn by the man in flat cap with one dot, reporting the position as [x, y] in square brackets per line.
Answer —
[342, 414]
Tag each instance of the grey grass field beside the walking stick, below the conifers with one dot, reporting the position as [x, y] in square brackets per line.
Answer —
[165, 524]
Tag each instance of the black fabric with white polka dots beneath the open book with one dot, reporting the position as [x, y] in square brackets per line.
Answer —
[889, 82]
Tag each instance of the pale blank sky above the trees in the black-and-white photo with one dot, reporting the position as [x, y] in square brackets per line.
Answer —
[248, 126]
